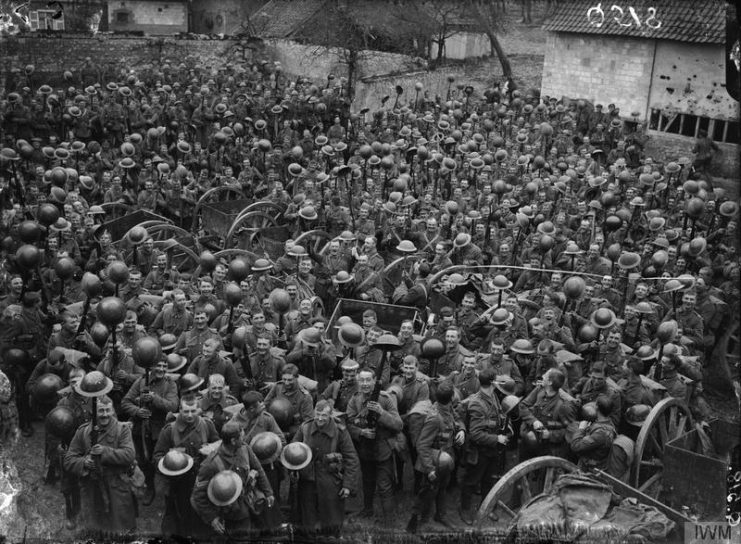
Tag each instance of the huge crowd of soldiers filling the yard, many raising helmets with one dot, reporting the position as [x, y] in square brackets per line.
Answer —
[561, 282]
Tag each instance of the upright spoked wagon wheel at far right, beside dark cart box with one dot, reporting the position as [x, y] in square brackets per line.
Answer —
[669, 419]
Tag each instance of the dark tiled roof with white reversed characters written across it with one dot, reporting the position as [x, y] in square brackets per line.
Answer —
[694, 21]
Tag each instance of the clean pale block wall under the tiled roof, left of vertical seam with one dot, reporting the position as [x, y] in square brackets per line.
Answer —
[599, 68]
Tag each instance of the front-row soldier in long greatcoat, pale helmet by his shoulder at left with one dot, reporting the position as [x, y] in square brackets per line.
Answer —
[328, 480]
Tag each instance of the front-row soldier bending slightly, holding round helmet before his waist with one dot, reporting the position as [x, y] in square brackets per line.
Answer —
[234, 517]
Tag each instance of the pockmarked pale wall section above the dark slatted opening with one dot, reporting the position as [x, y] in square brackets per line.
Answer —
[700, 66]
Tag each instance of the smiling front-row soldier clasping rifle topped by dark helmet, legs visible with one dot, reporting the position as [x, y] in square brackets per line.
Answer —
[371, 434]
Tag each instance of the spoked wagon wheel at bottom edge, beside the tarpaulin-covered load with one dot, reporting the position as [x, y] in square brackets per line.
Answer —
[520, 484]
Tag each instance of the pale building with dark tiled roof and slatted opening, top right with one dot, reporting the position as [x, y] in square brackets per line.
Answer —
[661, 62]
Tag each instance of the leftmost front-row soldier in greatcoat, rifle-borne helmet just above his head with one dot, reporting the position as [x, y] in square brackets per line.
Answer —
[101, 458]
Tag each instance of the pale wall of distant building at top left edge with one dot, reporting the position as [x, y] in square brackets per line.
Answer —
[168, 17]
